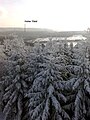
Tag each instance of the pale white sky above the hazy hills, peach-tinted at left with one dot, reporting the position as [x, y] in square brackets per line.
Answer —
[52, 14]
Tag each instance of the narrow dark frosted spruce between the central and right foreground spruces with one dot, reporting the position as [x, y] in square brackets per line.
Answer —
[73, 69]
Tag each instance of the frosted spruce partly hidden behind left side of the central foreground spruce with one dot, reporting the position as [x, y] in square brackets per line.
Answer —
[35, 60]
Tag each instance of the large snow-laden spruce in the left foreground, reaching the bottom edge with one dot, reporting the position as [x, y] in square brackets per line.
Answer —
[15, 86]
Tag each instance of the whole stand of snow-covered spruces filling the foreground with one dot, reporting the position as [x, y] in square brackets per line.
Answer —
[47, 82]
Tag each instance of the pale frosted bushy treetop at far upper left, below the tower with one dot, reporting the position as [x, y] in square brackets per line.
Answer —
[15, 45]
